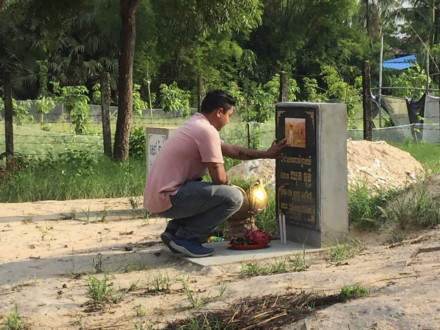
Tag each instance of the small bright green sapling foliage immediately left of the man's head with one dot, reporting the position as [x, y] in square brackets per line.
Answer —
[175, 99]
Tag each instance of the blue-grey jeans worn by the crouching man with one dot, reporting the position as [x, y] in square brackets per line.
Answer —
[199, 207]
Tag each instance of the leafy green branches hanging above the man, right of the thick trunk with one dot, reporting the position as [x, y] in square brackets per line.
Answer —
[207, 47]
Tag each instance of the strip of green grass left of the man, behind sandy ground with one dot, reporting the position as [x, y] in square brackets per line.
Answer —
[74, 175]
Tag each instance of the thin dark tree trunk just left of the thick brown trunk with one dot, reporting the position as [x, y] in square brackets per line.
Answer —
[105, 112]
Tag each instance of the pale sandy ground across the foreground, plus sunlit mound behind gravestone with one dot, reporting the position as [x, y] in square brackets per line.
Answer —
[50, 249]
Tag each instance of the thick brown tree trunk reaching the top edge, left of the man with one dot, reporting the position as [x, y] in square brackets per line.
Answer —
[125, 86]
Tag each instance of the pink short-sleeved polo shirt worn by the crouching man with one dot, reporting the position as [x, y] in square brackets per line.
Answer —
[181, 159]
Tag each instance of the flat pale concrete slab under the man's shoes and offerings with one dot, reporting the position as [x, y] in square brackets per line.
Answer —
[224, 255]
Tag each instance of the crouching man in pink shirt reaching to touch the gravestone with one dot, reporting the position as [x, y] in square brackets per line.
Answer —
[174, 187]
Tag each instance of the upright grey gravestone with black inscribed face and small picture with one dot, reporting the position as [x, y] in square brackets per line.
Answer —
[311, 175]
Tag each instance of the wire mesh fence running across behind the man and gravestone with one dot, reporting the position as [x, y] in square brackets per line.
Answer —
[31, 140]
